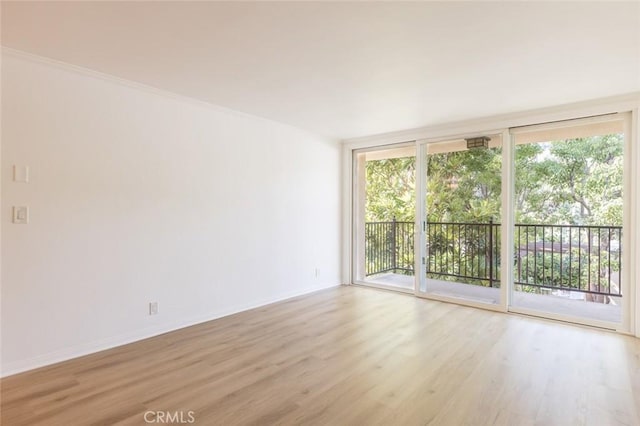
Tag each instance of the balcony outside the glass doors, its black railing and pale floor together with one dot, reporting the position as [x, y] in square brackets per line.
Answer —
[570, 264]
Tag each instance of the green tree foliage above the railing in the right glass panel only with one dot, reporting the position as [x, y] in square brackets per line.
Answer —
[574, 181]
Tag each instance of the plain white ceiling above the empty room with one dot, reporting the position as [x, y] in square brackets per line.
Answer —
[347, 69]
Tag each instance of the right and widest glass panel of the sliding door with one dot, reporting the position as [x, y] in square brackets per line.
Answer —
[568, 220]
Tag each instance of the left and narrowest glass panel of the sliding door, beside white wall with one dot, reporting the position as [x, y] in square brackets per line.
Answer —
[385, 217]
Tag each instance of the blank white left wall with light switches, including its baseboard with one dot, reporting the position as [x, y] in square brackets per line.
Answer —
[139, 196]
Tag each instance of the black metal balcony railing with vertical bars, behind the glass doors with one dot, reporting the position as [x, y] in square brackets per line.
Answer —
[585, 259]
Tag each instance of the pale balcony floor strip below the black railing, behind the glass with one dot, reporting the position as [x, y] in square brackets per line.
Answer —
[538, 302]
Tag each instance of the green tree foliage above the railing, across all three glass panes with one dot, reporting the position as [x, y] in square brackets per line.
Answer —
[574, 181]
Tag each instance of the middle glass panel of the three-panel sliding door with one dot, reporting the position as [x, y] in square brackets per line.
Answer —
[462, 228]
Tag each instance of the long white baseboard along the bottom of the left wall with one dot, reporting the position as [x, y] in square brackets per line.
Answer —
[145, 333]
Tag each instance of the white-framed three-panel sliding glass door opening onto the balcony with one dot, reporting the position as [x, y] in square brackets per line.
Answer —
[531, 220]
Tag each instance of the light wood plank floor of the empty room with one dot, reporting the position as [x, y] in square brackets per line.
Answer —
[347, 356]
